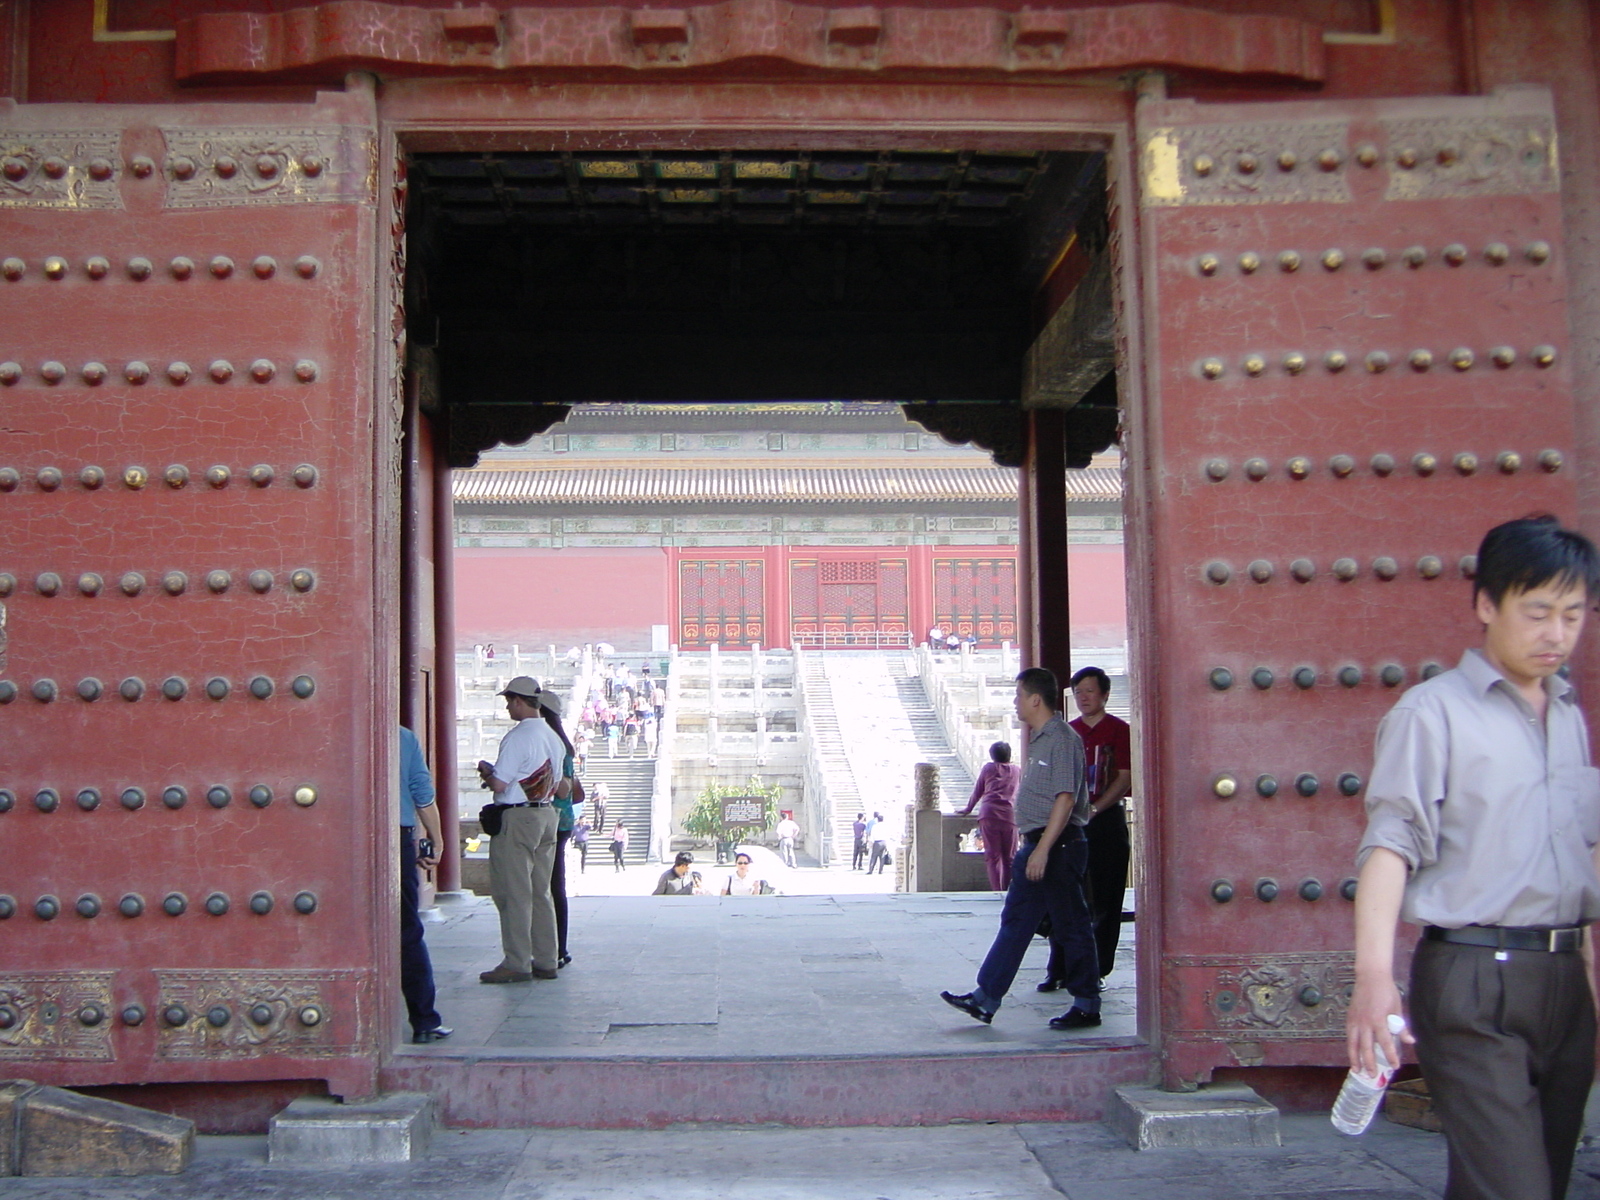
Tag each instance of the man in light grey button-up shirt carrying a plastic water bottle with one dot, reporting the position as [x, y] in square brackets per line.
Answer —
[1484, 817]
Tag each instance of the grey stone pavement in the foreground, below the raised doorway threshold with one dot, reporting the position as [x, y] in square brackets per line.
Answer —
[959, 1162]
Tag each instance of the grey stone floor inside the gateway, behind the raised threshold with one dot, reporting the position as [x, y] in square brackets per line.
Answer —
[753, 977]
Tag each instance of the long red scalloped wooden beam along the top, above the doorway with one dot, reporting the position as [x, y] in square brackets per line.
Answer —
[322, 42]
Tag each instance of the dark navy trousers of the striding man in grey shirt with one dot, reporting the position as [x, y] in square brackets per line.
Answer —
[1062, 895]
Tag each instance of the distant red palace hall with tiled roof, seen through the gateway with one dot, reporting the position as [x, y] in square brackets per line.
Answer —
[833, 524]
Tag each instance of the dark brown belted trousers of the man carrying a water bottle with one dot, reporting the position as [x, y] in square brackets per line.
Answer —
[1510, 1052]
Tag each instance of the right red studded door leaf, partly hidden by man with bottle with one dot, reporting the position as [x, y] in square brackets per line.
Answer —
[1358, 334]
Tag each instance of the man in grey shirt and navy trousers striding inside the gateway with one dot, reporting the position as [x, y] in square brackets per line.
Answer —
[1052, 809]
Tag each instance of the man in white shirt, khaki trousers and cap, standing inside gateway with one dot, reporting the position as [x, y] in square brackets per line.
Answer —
[526, 780]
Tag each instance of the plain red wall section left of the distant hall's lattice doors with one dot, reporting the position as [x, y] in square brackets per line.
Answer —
[564, 598]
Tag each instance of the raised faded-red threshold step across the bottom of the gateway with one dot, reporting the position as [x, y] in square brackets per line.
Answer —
[506, 1094]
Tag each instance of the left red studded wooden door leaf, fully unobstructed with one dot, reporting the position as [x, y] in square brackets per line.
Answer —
[194, 748]
